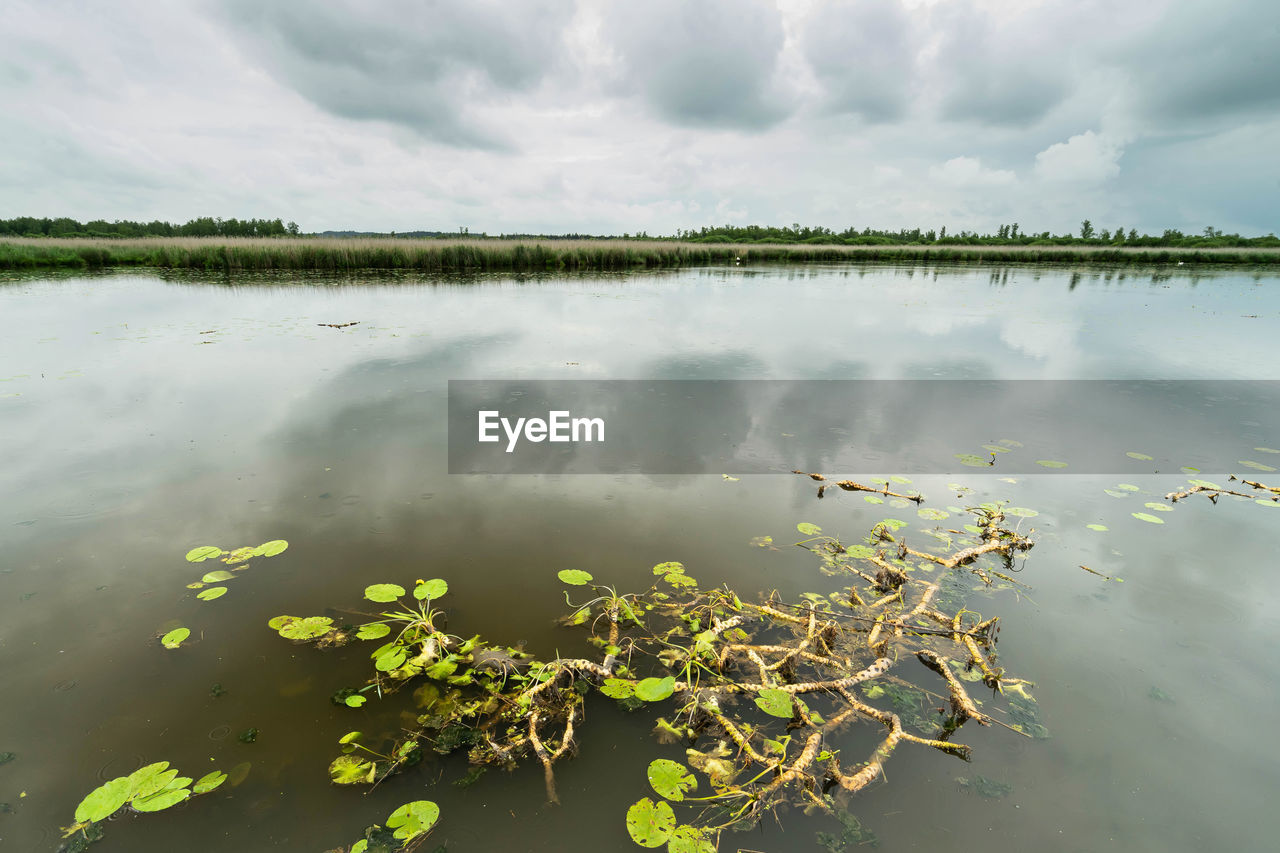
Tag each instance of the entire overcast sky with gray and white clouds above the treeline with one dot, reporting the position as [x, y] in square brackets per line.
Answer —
[610, 117]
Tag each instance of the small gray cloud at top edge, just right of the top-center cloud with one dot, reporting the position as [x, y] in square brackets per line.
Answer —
[865, 56]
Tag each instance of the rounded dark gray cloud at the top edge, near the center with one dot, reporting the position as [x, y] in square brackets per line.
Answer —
[702, 63]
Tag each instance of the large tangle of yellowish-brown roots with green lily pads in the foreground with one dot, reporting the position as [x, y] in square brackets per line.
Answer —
[760, 691]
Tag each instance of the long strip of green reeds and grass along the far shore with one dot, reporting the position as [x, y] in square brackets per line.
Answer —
[235, 256]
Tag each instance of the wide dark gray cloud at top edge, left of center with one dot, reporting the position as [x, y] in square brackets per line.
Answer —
[414, 65]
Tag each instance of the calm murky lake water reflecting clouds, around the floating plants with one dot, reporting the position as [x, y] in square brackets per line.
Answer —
[140, 418]
